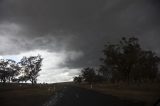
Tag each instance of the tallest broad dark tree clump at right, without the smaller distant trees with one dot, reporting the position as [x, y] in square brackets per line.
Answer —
[128, 61]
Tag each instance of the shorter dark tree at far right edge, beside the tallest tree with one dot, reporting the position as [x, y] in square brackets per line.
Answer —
[146, 67]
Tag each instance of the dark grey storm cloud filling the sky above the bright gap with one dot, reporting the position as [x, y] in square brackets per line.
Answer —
[79, 26]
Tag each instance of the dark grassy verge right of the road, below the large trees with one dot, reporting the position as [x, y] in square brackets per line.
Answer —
[147, 93]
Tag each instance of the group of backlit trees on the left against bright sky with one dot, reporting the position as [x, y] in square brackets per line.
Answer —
[25, 70]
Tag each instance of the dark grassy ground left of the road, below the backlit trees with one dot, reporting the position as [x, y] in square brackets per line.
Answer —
[26, 94]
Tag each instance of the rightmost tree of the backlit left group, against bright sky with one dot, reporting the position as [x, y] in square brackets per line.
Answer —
[31, 66]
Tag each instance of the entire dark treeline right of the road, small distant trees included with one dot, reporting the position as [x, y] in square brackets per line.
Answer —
[126, 62]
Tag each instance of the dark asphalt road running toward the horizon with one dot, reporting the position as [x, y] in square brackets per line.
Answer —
[74, 96]
